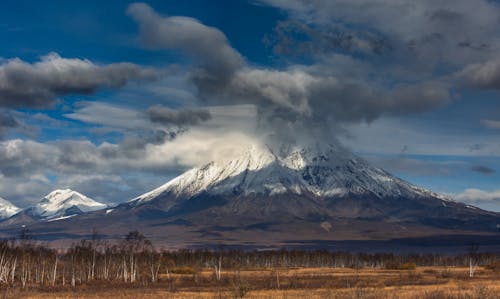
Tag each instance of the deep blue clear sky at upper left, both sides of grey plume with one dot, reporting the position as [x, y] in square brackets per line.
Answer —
[103, 32]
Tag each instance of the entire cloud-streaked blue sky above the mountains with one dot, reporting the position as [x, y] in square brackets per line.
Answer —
[412, 87]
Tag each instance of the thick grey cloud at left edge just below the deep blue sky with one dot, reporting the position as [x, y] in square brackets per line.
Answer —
[26, 85]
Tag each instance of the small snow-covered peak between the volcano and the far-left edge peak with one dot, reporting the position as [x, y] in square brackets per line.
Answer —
[65, 202]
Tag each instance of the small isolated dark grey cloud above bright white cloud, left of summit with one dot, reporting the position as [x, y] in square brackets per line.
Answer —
[182, 117]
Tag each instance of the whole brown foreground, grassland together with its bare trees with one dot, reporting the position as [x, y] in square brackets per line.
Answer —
[134, 268]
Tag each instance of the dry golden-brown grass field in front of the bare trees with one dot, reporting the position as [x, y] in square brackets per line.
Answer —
[420, 283]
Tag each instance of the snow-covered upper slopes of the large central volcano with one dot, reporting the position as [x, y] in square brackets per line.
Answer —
[319, 170]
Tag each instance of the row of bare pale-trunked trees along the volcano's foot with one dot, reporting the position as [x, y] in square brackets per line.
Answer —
[25, 262]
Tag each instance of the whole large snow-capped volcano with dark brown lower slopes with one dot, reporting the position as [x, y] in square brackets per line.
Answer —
[280, 196]
